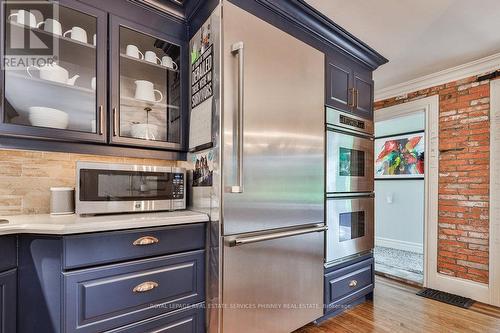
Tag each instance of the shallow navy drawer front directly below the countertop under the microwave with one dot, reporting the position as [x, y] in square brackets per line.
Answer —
[107, 247]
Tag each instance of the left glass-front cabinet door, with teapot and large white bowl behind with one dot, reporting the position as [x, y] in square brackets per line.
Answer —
[54, 70]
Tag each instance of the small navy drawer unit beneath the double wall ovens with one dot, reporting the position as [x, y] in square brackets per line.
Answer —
[348, 284]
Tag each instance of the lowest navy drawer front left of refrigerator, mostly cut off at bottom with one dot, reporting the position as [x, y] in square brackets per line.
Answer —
[190, 320]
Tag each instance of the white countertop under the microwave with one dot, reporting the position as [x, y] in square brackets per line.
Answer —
[74, 224]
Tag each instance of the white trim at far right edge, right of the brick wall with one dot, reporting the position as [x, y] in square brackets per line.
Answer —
[494, 193]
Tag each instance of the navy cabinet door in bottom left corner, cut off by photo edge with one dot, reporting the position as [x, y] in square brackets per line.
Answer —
[8, 296]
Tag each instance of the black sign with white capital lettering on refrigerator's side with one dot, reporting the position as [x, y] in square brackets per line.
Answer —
[201, 78]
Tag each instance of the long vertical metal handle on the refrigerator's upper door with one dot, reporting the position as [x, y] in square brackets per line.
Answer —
[238, 49]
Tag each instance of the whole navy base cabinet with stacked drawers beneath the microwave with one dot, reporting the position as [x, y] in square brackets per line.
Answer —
[102, 281]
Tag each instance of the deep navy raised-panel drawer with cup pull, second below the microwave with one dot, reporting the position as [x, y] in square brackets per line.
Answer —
[103, 298]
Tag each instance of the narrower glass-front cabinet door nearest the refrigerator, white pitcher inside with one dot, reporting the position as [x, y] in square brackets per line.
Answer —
[145, 86]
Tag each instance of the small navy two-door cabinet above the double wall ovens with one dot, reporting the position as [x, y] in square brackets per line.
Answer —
[349, 85]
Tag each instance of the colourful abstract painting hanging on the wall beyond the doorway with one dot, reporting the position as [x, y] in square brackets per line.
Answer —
[400, 157]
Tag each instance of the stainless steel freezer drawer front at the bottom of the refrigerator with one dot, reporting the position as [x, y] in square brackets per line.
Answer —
[273, 285]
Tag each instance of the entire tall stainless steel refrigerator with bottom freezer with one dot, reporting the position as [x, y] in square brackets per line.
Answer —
[258, 170]
